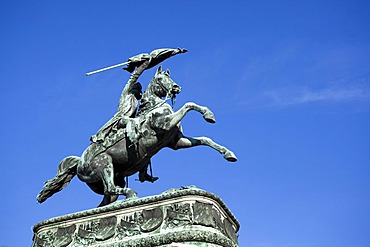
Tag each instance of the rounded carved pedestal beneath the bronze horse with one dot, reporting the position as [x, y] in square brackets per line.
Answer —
[177, 217]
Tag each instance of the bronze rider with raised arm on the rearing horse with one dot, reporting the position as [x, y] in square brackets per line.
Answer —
[127, 108]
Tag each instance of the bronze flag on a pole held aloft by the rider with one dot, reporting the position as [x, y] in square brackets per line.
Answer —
[157, 56]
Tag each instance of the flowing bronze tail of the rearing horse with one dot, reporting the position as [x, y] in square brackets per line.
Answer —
[66, 171]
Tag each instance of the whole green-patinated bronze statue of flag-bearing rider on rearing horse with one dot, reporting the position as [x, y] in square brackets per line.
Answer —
[126, 143]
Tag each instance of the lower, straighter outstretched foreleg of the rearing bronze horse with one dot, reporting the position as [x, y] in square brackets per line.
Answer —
[187, 142]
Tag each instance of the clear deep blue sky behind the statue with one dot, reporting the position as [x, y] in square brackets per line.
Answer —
[288, 81]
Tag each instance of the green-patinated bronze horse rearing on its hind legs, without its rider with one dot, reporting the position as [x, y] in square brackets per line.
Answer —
[104, 167]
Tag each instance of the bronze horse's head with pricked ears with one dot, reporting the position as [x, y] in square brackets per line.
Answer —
[164, 85]
